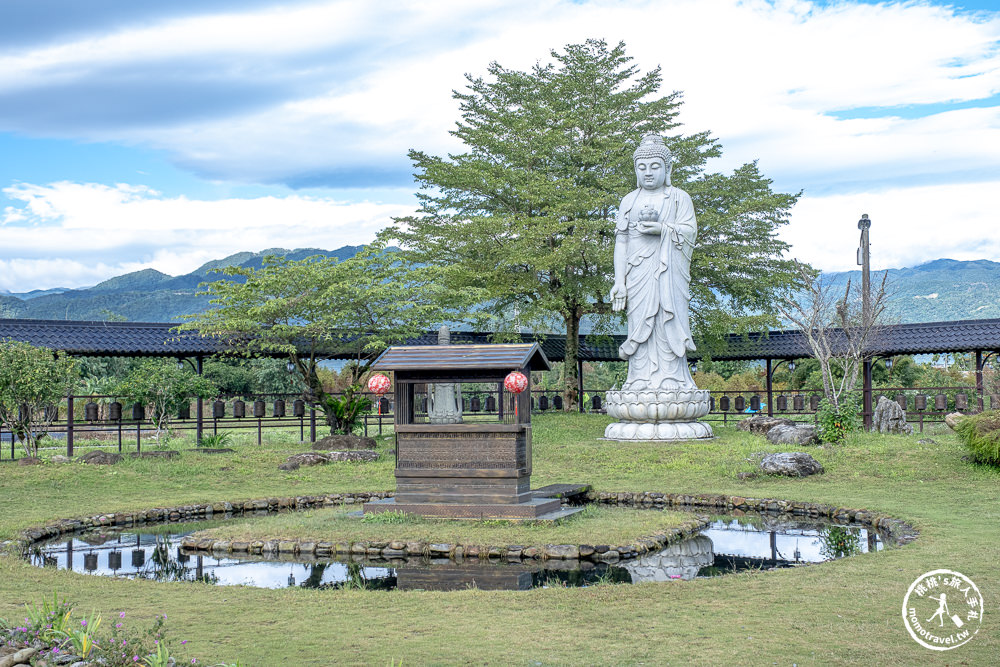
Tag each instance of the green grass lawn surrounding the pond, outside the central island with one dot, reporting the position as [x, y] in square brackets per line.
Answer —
[843, 612]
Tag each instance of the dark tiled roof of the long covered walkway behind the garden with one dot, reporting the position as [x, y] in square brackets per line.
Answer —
[159, 339]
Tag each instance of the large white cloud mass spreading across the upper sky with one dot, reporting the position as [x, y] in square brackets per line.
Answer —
[376, 79]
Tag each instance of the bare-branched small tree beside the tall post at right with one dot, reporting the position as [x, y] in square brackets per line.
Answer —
[841, 333]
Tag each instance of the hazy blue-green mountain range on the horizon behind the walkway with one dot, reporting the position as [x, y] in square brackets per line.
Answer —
[939, 290]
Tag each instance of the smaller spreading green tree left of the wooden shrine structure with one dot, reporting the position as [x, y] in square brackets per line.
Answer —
[319, 307]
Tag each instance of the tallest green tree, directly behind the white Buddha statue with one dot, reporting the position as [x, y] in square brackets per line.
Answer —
[525, 210]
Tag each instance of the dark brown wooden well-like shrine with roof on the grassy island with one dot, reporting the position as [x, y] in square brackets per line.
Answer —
[479, 468]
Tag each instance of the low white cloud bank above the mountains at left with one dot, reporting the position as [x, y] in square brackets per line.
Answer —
[130, 227]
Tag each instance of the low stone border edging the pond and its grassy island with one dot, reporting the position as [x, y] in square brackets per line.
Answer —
[900, 531]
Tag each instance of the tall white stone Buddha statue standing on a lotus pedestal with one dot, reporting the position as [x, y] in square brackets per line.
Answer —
[655, 232]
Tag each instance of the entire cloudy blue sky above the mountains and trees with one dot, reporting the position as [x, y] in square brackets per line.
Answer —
[142, 133]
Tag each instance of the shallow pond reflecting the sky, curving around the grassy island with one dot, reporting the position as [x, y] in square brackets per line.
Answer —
[728, 544]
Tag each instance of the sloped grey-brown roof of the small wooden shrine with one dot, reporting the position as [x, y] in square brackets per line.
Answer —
[463, 358]
